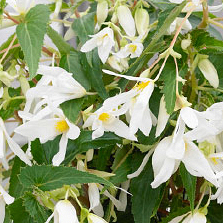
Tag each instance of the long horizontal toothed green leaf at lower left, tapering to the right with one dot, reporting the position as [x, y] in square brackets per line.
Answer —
[50, 177]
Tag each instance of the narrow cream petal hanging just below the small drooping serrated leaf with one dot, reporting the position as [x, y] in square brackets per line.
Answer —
[162, 117]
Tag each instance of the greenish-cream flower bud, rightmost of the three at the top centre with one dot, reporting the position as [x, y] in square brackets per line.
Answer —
[142, 21]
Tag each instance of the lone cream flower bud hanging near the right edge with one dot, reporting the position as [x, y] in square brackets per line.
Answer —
[209, 72]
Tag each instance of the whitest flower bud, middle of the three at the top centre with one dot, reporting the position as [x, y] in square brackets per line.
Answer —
[126, 20]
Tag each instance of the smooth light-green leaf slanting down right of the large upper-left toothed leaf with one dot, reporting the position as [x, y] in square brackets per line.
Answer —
[58, 40]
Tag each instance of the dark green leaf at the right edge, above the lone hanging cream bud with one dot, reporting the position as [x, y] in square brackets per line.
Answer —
[204, 43]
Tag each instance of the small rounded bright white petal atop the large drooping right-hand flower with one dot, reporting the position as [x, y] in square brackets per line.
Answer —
[189, 117]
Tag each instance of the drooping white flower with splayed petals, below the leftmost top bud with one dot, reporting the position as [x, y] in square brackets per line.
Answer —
[104, 40]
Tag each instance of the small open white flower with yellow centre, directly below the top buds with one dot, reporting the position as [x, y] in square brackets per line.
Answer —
[133, 49]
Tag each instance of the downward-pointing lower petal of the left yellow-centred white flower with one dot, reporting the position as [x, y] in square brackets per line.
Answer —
[60, 156]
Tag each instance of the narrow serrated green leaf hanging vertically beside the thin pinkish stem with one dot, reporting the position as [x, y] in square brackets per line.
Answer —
[169, 89]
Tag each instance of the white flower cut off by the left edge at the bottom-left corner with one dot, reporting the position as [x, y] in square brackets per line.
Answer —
[5, 198]
